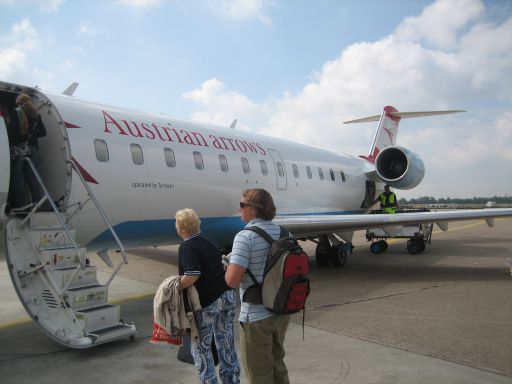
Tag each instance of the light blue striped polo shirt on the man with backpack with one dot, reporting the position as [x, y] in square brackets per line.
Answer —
[250, 251]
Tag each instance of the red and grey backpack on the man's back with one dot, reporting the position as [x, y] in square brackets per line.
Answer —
[285, 285]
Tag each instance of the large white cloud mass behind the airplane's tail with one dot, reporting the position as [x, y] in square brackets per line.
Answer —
[448, 57]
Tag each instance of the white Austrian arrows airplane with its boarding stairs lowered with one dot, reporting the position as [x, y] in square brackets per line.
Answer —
[113, 179]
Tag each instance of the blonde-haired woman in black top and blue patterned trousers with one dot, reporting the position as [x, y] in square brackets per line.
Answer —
[200, 264]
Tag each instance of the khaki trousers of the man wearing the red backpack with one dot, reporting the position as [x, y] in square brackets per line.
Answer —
[262, 349]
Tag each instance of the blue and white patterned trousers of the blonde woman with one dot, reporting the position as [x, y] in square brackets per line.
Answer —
[215, 323]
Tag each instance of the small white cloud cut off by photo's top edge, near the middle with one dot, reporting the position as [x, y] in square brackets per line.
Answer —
[242, 9]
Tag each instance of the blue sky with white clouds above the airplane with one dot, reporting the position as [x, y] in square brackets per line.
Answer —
[294, 69]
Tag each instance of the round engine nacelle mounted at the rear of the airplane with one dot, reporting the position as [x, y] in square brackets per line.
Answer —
[399, 167]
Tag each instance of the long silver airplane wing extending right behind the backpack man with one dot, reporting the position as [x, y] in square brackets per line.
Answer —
[304, 226]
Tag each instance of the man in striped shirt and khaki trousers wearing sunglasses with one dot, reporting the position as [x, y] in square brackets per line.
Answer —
[262, 332]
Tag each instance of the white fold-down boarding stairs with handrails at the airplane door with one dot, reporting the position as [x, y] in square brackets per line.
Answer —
[54, 278]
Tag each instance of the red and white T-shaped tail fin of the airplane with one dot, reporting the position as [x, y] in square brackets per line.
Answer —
[387, 130]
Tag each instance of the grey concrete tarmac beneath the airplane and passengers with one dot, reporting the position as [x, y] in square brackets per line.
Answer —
[443, 316]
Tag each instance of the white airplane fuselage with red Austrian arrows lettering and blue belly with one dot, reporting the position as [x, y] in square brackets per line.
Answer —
[144, 167]
